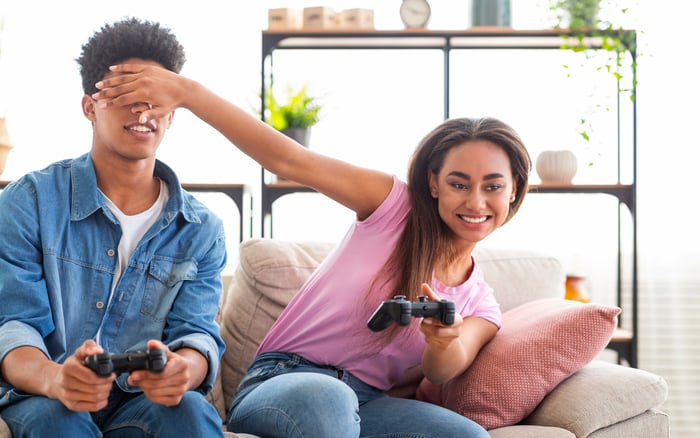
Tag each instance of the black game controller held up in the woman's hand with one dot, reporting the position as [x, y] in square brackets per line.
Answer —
[400, 310]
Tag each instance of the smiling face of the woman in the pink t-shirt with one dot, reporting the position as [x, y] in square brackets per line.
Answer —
[474, 189]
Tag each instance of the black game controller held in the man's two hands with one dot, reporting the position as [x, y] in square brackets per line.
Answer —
[104, 364]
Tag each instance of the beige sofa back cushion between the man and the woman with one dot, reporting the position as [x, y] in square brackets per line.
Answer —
[269, 273]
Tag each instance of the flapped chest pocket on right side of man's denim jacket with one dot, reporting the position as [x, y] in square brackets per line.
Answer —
[165, 277]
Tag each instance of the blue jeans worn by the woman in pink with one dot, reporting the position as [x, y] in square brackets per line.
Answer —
[284, 395]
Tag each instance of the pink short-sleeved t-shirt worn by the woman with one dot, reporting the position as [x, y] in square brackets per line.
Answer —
[326, 322]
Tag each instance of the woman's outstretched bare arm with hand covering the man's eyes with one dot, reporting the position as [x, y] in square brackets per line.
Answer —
[358, 188]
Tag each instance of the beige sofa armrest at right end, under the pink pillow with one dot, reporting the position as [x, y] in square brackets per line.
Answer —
[599, 395]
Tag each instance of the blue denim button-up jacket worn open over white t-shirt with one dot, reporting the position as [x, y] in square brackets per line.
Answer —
[58, 256]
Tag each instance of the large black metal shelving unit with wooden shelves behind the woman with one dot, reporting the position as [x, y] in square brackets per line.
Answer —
[624, 342]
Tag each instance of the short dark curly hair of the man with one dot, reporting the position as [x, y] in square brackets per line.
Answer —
[125, 39]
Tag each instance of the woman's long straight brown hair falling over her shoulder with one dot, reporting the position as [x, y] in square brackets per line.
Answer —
[426, 239]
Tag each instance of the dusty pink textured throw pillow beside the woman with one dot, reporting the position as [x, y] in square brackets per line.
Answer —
[540, 344]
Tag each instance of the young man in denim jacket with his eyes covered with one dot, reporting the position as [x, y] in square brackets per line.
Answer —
[105, 253]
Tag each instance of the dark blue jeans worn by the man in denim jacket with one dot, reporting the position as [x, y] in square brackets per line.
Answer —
[126, 415]
